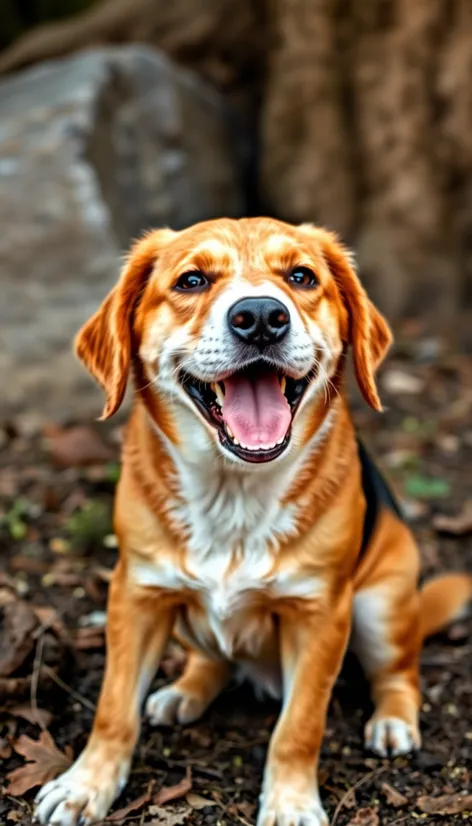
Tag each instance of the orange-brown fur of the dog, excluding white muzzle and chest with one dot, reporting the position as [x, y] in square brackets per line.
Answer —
[313, 633]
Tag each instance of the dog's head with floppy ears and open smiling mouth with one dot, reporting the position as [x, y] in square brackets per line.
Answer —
[237, 326]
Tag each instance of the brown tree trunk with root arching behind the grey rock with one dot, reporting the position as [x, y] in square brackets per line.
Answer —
[363, 110]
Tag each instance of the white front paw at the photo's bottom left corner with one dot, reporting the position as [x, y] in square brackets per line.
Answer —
[80, 796]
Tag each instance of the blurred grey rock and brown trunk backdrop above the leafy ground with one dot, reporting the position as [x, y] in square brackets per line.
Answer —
[116, 116]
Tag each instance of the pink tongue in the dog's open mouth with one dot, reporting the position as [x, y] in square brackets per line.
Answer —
[256, 410]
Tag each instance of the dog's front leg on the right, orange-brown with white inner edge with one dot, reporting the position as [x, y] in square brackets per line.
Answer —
[313, 639]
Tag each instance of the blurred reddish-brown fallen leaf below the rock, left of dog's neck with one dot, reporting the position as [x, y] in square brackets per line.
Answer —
[76, 446]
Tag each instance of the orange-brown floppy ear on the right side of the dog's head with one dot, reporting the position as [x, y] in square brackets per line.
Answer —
[368, 332]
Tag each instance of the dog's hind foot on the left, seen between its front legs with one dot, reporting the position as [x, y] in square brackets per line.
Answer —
[187, 699]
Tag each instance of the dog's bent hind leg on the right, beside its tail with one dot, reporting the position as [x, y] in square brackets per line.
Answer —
[387, 637]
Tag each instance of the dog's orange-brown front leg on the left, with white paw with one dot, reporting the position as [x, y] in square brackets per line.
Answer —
[139, 622]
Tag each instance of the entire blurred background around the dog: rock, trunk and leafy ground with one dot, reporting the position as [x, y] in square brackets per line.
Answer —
[120, 115]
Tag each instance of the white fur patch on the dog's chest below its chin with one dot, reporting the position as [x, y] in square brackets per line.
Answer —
[234, 522]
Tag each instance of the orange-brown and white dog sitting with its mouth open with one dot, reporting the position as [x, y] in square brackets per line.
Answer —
[252, 525]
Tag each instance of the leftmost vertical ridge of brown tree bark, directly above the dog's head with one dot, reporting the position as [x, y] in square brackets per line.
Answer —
[306, 169]
